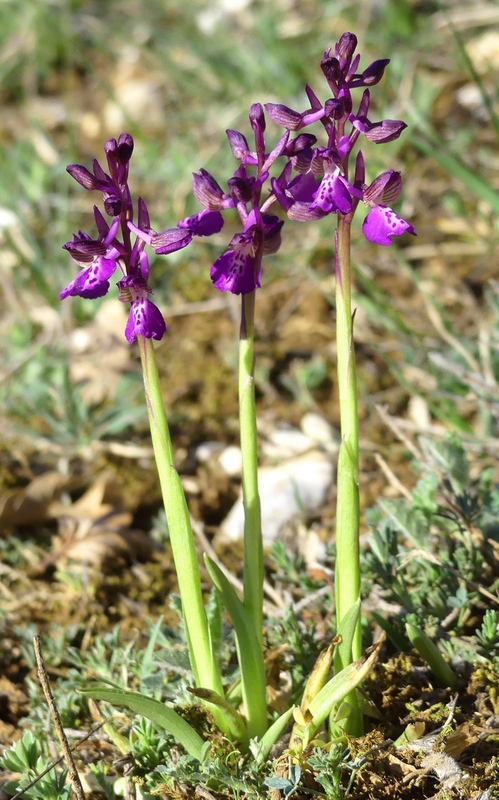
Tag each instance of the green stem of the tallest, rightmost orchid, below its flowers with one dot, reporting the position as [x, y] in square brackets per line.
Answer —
[347, 576]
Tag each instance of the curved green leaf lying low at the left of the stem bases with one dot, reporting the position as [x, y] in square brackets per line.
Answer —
[160, 715]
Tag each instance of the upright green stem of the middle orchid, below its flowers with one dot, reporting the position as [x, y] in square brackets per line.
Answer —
[253, 546]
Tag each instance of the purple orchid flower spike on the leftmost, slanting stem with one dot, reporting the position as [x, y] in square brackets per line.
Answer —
[99, 258]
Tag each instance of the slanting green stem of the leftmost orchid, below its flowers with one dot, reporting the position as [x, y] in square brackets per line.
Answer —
[202, 657]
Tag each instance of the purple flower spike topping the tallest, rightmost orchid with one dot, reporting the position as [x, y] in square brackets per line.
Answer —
[322, 186]
